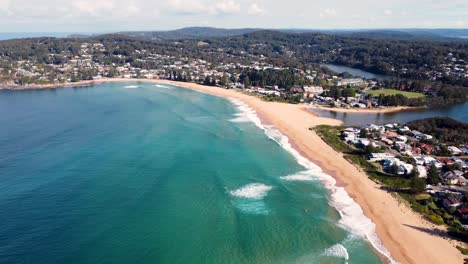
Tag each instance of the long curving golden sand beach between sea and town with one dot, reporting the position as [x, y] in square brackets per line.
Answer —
[408, 237]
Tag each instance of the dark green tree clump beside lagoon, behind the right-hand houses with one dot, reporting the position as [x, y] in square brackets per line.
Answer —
[444, 129]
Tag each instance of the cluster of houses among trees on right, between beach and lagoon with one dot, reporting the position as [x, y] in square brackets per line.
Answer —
[429, 173]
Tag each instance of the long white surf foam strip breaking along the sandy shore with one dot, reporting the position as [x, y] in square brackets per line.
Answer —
[352, 216]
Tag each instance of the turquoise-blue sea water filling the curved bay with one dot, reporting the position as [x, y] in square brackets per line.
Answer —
[155, 175]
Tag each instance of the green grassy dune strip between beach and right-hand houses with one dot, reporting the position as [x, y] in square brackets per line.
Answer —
[421, 203]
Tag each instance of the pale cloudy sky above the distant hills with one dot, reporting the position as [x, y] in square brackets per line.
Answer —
[126, 15]
